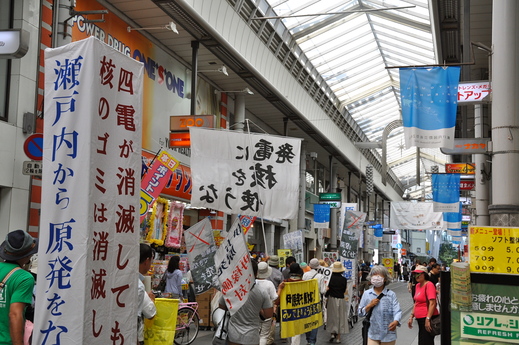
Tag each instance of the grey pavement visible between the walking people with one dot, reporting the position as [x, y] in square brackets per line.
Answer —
[405, 336]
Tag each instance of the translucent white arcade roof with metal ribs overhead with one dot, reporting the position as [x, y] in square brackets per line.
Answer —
[351, 47]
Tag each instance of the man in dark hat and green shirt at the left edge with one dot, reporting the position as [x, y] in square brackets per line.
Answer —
[16, 285]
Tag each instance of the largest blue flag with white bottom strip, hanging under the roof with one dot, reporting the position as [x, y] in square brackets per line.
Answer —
[429, 99]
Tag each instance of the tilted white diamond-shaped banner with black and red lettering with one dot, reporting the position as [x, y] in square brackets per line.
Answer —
[234, 268]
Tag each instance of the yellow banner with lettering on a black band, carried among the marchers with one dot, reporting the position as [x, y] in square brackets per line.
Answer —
[301, 309]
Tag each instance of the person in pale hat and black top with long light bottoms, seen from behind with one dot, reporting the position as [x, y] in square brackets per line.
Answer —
[337, 307]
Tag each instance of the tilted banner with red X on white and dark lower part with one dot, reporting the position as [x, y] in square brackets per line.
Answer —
[201, 250]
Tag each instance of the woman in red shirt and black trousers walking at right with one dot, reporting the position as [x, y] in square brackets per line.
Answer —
[424, 308]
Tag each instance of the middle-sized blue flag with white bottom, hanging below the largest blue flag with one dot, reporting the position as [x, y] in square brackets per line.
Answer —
[446, 192]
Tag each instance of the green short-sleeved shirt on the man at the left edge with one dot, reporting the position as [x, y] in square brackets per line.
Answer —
[18, 289]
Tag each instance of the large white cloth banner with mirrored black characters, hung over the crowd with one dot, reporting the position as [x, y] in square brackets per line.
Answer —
[248, 174]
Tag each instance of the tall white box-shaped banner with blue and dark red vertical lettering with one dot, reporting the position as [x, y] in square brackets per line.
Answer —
[88, 255]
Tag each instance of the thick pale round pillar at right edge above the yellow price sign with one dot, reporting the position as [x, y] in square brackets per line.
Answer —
[504, 210]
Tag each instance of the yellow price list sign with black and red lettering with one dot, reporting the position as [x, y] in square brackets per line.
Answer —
[494, 249]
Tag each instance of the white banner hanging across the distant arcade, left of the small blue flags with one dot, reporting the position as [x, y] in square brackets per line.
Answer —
[415, 216]
